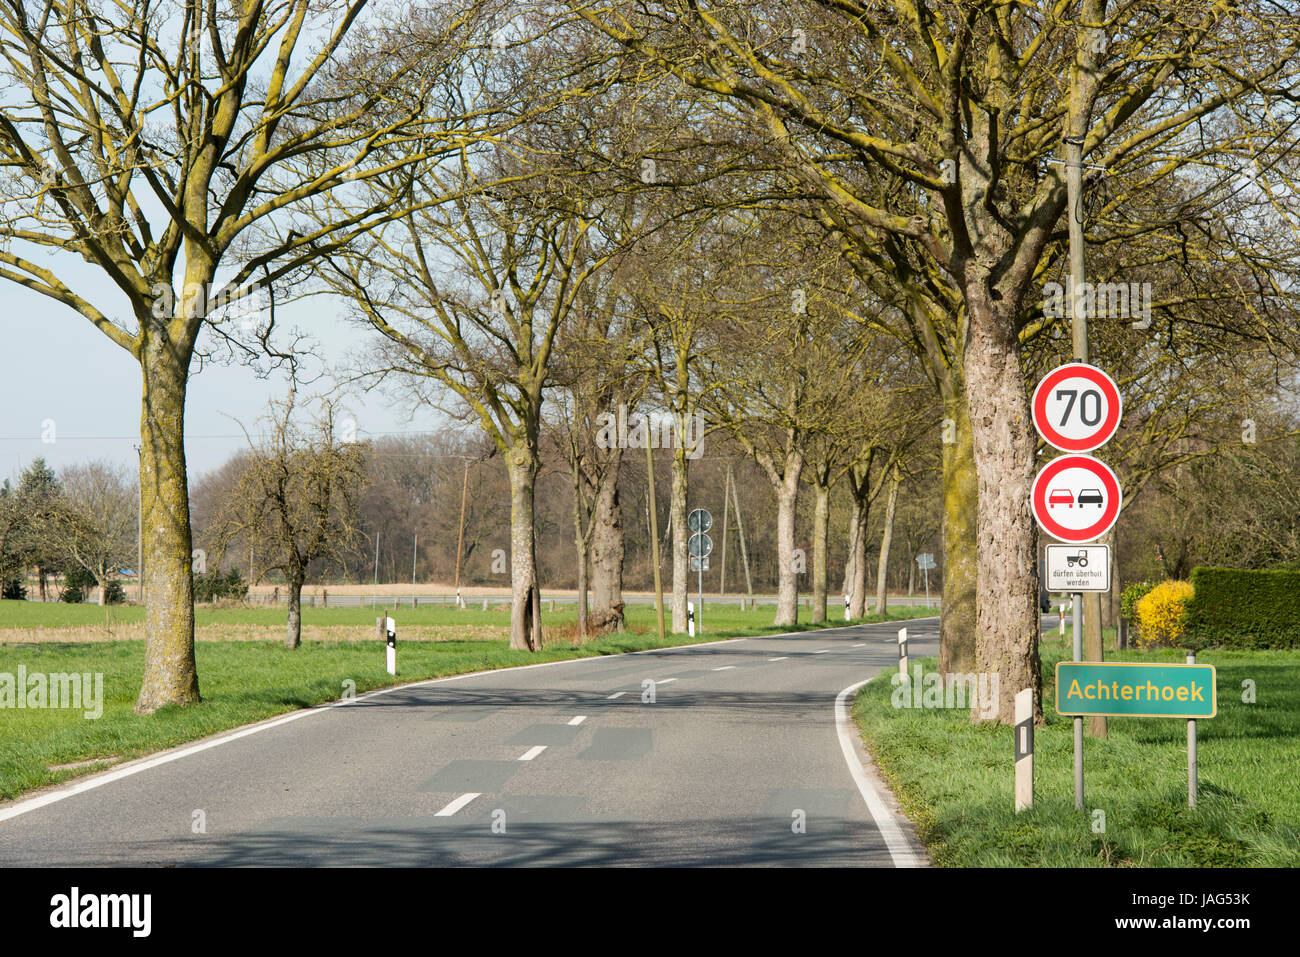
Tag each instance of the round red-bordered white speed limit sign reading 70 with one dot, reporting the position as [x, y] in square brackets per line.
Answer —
[1077, 408]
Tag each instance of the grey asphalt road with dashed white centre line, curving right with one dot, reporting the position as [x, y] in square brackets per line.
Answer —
[562, 764]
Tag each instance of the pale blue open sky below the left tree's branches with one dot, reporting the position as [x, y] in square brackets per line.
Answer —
[71, 396]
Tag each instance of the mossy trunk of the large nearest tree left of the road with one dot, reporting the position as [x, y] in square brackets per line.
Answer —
[171, 677]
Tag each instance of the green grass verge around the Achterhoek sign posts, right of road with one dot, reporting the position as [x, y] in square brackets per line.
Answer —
[956, 782]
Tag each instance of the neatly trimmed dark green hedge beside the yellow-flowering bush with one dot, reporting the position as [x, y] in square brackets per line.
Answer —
[1233, 608]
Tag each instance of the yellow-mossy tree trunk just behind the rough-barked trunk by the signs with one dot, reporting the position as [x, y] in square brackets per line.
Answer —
[960, 544]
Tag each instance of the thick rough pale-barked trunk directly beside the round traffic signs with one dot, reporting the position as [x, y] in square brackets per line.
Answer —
[1007, 614]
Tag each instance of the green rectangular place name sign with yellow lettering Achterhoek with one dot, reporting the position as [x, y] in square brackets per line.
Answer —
[1136, 690]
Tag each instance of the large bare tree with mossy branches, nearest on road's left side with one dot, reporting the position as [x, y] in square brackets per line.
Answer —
[171, 144]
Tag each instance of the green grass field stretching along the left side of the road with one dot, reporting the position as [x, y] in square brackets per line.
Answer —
[250, 679]
